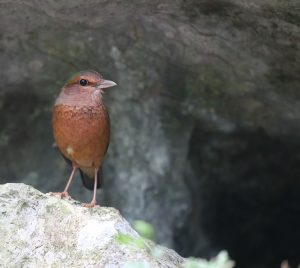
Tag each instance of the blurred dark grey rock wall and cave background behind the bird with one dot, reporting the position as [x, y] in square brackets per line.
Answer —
[205, 119]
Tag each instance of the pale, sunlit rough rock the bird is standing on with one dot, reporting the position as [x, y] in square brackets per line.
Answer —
[41, 230]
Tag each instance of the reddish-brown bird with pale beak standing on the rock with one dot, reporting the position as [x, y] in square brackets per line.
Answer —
[81, 128]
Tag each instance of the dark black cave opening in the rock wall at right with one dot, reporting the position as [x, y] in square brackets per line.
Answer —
[245, 190]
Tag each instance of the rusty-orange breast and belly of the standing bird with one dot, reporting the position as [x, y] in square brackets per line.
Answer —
[81, 134]
